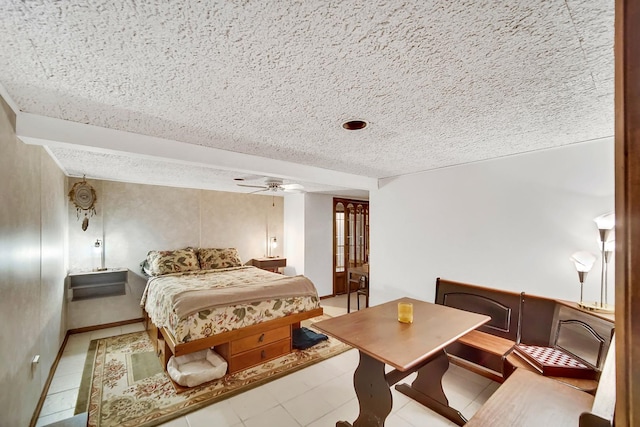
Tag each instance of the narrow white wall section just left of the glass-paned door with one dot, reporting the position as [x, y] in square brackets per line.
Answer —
[319, 241]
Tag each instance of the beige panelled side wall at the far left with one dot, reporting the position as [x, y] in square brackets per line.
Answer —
[32, 229]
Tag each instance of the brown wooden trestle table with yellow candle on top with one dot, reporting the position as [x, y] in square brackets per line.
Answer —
[419, 346]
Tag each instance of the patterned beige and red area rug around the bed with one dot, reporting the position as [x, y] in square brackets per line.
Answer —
[126, 386]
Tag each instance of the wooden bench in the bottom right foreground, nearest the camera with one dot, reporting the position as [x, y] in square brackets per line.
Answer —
[527, 399]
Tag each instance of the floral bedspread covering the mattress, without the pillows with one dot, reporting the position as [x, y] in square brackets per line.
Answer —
[159, 300]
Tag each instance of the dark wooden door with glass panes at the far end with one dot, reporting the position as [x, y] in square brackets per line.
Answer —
[350, 239]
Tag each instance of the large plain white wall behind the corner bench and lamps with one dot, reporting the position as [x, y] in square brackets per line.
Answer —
[509, 223]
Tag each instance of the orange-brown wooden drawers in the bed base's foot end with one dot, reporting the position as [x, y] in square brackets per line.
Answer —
[256, 349]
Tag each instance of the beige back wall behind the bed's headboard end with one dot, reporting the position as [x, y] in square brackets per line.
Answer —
[138, 218]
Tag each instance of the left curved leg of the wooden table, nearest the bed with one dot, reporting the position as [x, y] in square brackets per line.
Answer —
[374, 394]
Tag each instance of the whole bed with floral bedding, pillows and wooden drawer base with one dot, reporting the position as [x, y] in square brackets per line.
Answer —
[202, 298]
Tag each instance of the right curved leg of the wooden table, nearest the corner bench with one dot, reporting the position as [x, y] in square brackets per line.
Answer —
[427, 389]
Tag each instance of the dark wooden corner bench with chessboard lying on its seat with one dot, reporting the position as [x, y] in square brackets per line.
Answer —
[517, 319]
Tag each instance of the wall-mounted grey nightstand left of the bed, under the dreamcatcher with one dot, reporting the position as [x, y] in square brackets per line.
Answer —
[96, 284]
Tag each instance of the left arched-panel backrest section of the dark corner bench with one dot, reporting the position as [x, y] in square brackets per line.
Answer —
[502, 306]
